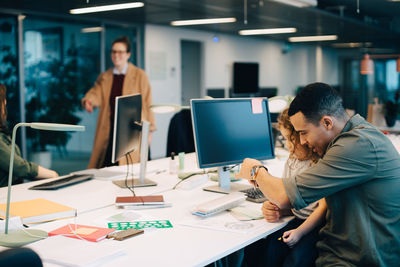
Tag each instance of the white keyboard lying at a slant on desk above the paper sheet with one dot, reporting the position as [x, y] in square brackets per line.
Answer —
[220, 204]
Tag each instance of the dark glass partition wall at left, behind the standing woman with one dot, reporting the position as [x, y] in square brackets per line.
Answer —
[61, 59]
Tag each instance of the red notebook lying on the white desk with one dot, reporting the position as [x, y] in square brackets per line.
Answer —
[89, 233]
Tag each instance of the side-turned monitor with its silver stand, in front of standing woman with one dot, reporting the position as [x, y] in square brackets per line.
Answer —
[130, 134]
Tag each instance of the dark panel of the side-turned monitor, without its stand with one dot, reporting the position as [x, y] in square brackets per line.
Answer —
[127, 125]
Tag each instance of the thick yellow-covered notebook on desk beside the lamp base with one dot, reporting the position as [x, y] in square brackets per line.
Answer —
[38, 210]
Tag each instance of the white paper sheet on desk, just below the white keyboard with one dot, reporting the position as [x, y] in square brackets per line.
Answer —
[224, 222]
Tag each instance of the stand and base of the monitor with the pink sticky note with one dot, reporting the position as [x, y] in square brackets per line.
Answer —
[225, 186]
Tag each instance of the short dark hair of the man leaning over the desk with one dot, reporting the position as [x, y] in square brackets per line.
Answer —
[317, 100]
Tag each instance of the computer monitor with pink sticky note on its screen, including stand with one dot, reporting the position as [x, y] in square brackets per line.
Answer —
[226, 131]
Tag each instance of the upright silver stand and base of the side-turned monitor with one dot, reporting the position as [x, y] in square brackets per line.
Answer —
[144, 153]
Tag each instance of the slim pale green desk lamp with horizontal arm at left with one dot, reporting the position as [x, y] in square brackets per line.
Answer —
[17, 238]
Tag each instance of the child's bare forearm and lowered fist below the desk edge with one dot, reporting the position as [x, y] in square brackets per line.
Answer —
[291, 237]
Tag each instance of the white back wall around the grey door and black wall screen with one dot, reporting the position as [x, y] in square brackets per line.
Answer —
[283, 70]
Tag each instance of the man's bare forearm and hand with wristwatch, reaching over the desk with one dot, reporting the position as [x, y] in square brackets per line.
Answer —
[272, 187]
